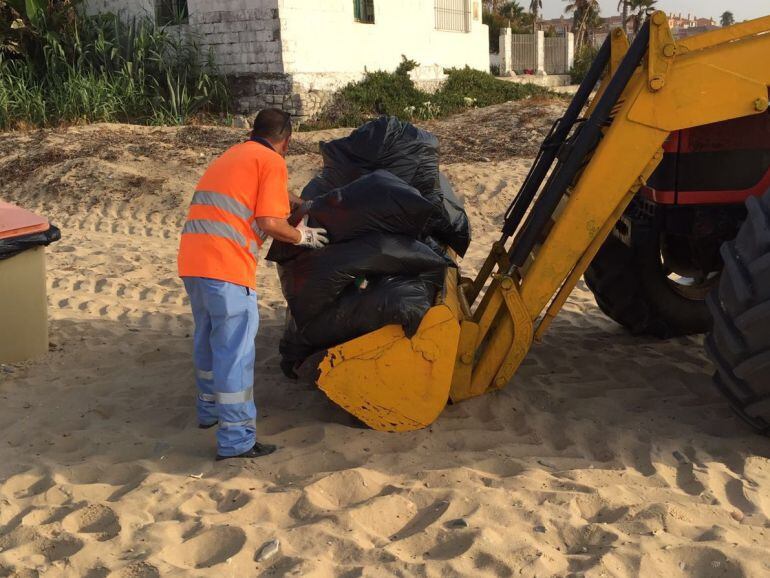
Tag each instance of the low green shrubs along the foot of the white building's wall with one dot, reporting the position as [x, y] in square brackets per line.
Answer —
[394, 93]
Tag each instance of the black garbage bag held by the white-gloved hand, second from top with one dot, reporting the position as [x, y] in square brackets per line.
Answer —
[375, 203]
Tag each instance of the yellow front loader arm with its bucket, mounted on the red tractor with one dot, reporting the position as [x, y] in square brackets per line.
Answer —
[589, 168]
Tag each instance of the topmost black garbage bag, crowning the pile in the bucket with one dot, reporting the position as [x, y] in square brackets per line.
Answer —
[387, 143]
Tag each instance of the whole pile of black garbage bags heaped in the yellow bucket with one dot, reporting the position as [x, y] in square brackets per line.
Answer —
[390, 217]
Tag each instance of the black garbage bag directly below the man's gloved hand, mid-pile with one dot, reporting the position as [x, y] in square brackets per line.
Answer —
[315, 279]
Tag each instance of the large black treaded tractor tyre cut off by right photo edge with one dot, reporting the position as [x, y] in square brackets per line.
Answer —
[739, 344]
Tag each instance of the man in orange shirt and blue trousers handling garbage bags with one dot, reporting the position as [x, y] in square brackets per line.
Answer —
[241, 200]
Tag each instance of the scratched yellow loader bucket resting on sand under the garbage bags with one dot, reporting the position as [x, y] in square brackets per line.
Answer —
[394, 383]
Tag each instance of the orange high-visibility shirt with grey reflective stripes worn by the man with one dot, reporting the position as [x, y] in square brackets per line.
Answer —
[220, 239]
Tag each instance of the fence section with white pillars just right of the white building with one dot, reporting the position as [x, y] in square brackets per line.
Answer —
[535, 53]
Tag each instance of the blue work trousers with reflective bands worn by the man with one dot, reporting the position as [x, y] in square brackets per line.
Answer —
[226, 323]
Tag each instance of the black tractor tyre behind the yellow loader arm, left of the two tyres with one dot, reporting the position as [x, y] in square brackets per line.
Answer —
[632, 288]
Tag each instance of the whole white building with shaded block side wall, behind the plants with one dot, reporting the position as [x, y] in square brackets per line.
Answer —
[293, 53]
